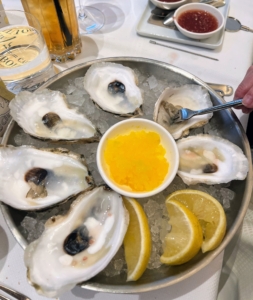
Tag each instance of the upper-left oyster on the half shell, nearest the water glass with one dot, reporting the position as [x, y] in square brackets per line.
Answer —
[46, 115]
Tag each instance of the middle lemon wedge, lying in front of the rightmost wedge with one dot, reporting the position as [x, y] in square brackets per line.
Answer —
[184, 240]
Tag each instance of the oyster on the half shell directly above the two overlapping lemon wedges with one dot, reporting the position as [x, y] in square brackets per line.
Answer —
[211, 160]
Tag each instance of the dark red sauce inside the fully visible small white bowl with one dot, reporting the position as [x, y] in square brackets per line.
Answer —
[198, 21]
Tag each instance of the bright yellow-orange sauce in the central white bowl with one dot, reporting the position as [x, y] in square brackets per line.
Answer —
[136, 160]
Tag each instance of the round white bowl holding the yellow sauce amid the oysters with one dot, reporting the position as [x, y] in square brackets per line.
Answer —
[139, 124]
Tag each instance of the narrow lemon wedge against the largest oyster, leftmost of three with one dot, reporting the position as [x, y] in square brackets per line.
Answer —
[137, 241]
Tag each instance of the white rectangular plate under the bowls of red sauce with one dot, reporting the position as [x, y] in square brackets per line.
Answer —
[157, 30]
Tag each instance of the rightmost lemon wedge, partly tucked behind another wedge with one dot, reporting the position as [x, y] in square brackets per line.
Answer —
[209, 212]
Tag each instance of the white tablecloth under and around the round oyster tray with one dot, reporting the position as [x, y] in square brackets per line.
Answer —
[119, 38]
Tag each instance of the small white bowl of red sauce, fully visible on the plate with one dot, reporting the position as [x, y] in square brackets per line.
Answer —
[204, 7]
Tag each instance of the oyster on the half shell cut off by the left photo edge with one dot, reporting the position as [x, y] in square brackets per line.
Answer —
[36, 178]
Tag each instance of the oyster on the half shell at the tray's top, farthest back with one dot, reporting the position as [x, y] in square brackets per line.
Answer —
[113, 87]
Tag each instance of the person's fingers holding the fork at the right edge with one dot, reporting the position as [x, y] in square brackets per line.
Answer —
[245, 92]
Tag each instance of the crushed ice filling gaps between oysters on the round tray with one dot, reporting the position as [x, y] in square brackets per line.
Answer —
[32, 225]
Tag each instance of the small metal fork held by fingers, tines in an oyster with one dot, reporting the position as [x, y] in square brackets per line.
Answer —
[180, 115]
